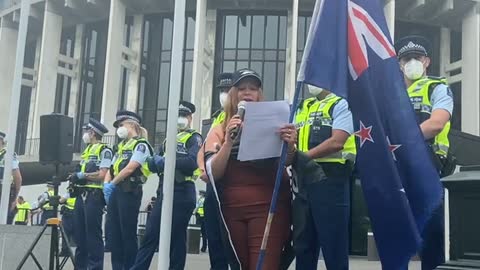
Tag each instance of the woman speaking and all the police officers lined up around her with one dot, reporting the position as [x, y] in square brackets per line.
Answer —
[233, 209]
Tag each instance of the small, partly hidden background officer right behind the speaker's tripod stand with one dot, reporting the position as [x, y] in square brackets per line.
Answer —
[67, 211]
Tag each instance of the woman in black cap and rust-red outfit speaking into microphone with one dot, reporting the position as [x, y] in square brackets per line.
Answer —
[247, 187]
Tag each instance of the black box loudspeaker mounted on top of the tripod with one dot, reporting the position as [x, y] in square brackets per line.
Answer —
[56, 139]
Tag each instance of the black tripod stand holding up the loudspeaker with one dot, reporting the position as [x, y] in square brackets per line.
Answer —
[55, 262]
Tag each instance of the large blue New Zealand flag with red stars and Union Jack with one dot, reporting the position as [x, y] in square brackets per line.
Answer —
[349, 51]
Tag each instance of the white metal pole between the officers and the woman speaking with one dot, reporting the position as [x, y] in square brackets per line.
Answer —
[170, 157]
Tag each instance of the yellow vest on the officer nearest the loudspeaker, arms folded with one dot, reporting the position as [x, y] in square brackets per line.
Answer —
[90, 162]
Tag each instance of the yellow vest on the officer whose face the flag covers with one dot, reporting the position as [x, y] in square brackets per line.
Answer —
[315, 116]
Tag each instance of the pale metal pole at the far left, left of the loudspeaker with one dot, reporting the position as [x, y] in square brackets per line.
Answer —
[14, 105]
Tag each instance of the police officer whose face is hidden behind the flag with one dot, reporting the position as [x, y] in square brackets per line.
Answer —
[325, 129]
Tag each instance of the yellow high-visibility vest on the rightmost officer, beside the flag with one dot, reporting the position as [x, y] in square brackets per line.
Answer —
[420, 92]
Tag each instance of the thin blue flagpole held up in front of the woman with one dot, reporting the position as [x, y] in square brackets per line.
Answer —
[278, 182]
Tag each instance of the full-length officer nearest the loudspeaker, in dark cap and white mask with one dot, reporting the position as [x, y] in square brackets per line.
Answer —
[88, 185]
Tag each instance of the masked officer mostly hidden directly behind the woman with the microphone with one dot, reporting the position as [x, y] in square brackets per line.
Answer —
[218, 259]
